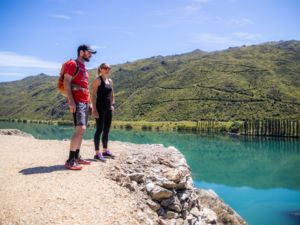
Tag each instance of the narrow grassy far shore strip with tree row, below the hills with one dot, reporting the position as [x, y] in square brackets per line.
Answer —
[265, 128]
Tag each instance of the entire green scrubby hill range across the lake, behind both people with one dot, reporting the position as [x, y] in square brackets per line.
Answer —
[258, 81]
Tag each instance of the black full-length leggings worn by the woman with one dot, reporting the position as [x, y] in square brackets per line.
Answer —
[103, 123]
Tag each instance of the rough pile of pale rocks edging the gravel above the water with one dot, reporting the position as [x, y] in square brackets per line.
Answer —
[161, 182]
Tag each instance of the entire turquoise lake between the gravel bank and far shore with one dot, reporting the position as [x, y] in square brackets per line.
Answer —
[258, 177]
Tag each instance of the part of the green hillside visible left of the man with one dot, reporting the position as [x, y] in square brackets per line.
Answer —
[35, 97]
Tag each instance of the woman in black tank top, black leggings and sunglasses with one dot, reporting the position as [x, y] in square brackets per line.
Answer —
[103, 106]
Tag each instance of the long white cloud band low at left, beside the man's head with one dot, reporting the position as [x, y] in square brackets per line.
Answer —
[11, 59]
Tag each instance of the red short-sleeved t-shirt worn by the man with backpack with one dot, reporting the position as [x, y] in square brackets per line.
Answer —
[81, 79]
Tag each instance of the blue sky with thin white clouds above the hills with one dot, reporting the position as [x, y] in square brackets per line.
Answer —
[39, 35]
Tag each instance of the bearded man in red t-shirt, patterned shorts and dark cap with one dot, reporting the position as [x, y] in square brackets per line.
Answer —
[77, 89]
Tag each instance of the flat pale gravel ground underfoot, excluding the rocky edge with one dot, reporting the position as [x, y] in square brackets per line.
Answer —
[36, 189]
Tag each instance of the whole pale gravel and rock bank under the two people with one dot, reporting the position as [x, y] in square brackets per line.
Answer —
[145, 184]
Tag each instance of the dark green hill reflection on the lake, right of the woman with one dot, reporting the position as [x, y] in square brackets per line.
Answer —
[233, 161]
